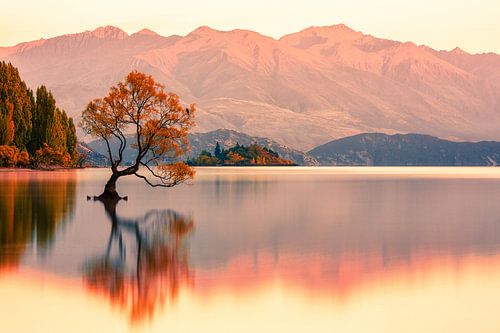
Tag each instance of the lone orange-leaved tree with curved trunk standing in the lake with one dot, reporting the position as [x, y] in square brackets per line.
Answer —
[157, 126]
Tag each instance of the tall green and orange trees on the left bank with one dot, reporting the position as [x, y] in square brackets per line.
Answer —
[34, 132]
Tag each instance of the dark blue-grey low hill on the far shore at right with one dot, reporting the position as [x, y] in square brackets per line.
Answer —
[376, 149]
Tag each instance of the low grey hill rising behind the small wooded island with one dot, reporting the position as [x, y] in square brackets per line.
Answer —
[207, 141]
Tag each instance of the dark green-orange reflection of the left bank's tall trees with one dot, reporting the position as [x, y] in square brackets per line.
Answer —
[31, 209]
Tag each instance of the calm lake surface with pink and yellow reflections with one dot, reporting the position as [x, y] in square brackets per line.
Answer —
[253, 250]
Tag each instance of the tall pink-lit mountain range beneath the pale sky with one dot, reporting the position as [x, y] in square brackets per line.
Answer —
[302, 90]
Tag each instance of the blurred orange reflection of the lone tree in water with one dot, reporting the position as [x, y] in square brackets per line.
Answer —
[145, 261]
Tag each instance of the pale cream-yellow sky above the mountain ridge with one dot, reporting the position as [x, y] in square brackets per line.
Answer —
[442, 24]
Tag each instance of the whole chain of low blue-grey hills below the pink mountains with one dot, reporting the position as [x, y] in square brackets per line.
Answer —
[367, 149]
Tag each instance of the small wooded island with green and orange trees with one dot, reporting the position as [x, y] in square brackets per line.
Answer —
[252, 155]
